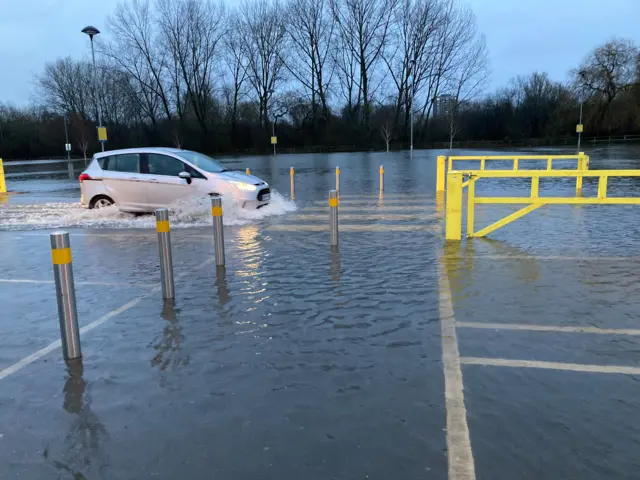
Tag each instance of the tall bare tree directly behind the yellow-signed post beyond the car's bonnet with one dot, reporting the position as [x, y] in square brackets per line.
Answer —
[262, 27]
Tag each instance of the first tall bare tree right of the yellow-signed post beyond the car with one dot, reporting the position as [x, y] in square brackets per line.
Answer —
[311, 31]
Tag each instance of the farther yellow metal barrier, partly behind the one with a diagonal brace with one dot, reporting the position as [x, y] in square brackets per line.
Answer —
[582, 163]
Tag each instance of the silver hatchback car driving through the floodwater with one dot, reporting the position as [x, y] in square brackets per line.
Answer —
[143, 179]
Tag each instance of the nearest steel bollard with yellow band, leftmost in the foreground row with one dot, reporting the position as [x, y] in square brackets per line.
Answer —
[66, 295]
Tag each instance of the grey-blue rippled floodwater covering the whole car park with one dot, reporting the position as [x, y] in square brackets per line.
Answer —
[299, 361]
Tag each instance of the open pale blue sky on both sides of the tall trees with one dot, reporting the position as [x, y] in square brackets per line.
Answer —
[523, 36]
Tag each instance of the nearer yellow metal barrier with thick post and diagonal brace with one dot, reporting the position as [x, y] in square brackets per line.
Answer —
[455, 182]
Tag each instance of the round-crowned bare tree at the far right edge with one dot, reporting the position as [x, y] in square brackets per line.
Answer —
[606, 72]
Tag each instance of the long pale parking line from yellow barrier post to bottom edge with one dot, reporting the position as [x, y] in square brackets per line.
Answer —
[460, 455]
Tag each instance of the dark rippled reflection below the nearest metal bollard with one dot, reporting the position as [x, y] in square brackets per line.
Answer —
[84, 446]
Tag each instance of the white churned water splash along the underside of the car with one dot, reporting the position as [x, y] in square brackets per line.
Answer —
[194, 212]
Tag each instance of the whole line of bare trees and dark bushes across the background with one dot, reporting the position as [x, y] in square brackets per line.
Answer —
[353, 73]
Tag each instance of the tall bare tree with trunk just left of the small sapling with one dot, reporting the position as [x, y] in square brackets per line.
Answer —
[363, 27]
